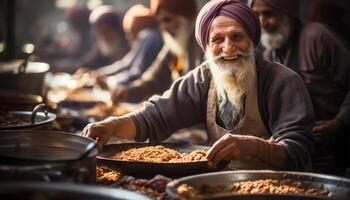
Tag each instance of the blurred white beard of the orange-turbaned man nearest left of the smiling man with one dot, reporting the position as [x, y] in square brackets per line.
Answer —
[178, 43]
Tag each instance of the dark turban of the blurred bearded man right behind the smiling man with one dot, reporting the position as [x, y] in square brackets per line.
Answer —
[286, 7]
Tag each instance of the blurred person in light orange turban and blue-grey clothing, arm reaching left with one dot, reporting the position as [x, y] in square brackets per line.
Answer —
[145, 39]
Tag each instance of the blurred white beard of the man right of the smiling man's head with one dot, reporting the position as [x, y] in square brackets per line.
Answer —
[276, 39]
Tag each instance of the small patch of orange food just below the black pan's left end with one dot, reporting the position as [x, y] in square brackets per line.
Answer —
[106, 175]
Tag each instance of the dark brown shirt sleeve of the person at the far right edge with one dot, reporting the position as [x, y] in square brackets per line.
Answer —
[323, 49]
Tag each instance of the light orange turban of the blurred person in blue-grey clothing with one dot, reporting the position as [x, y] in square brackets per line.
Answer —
[137, 18]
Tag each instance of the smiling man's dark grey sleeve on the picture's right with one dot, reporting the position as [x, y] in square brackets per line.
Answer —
[288, 112]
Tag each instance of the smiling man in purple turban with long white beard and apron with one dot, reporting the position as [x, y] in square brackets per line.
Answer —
[244, 100]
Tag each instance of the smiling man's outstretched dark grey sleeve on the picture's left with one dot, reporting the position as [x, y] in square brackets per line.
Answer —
[182, 106]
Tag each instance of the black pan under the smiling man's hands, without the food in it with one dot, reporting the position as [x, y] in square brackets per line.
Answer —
[147, 169]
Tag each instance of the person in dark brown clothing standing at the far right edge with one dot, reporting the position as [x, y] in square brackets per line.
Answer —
[325, 66]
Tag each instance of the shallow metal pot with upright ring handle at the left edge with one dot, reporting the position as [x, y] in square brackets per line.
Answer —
[27, 120]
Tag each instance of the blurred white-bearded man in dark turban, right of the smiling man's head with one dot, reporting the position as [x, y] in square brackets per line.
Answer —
[280, 30]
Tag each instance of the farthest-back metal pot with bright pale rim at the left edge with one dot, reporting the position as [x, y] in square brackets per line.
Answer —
[25, 78]
